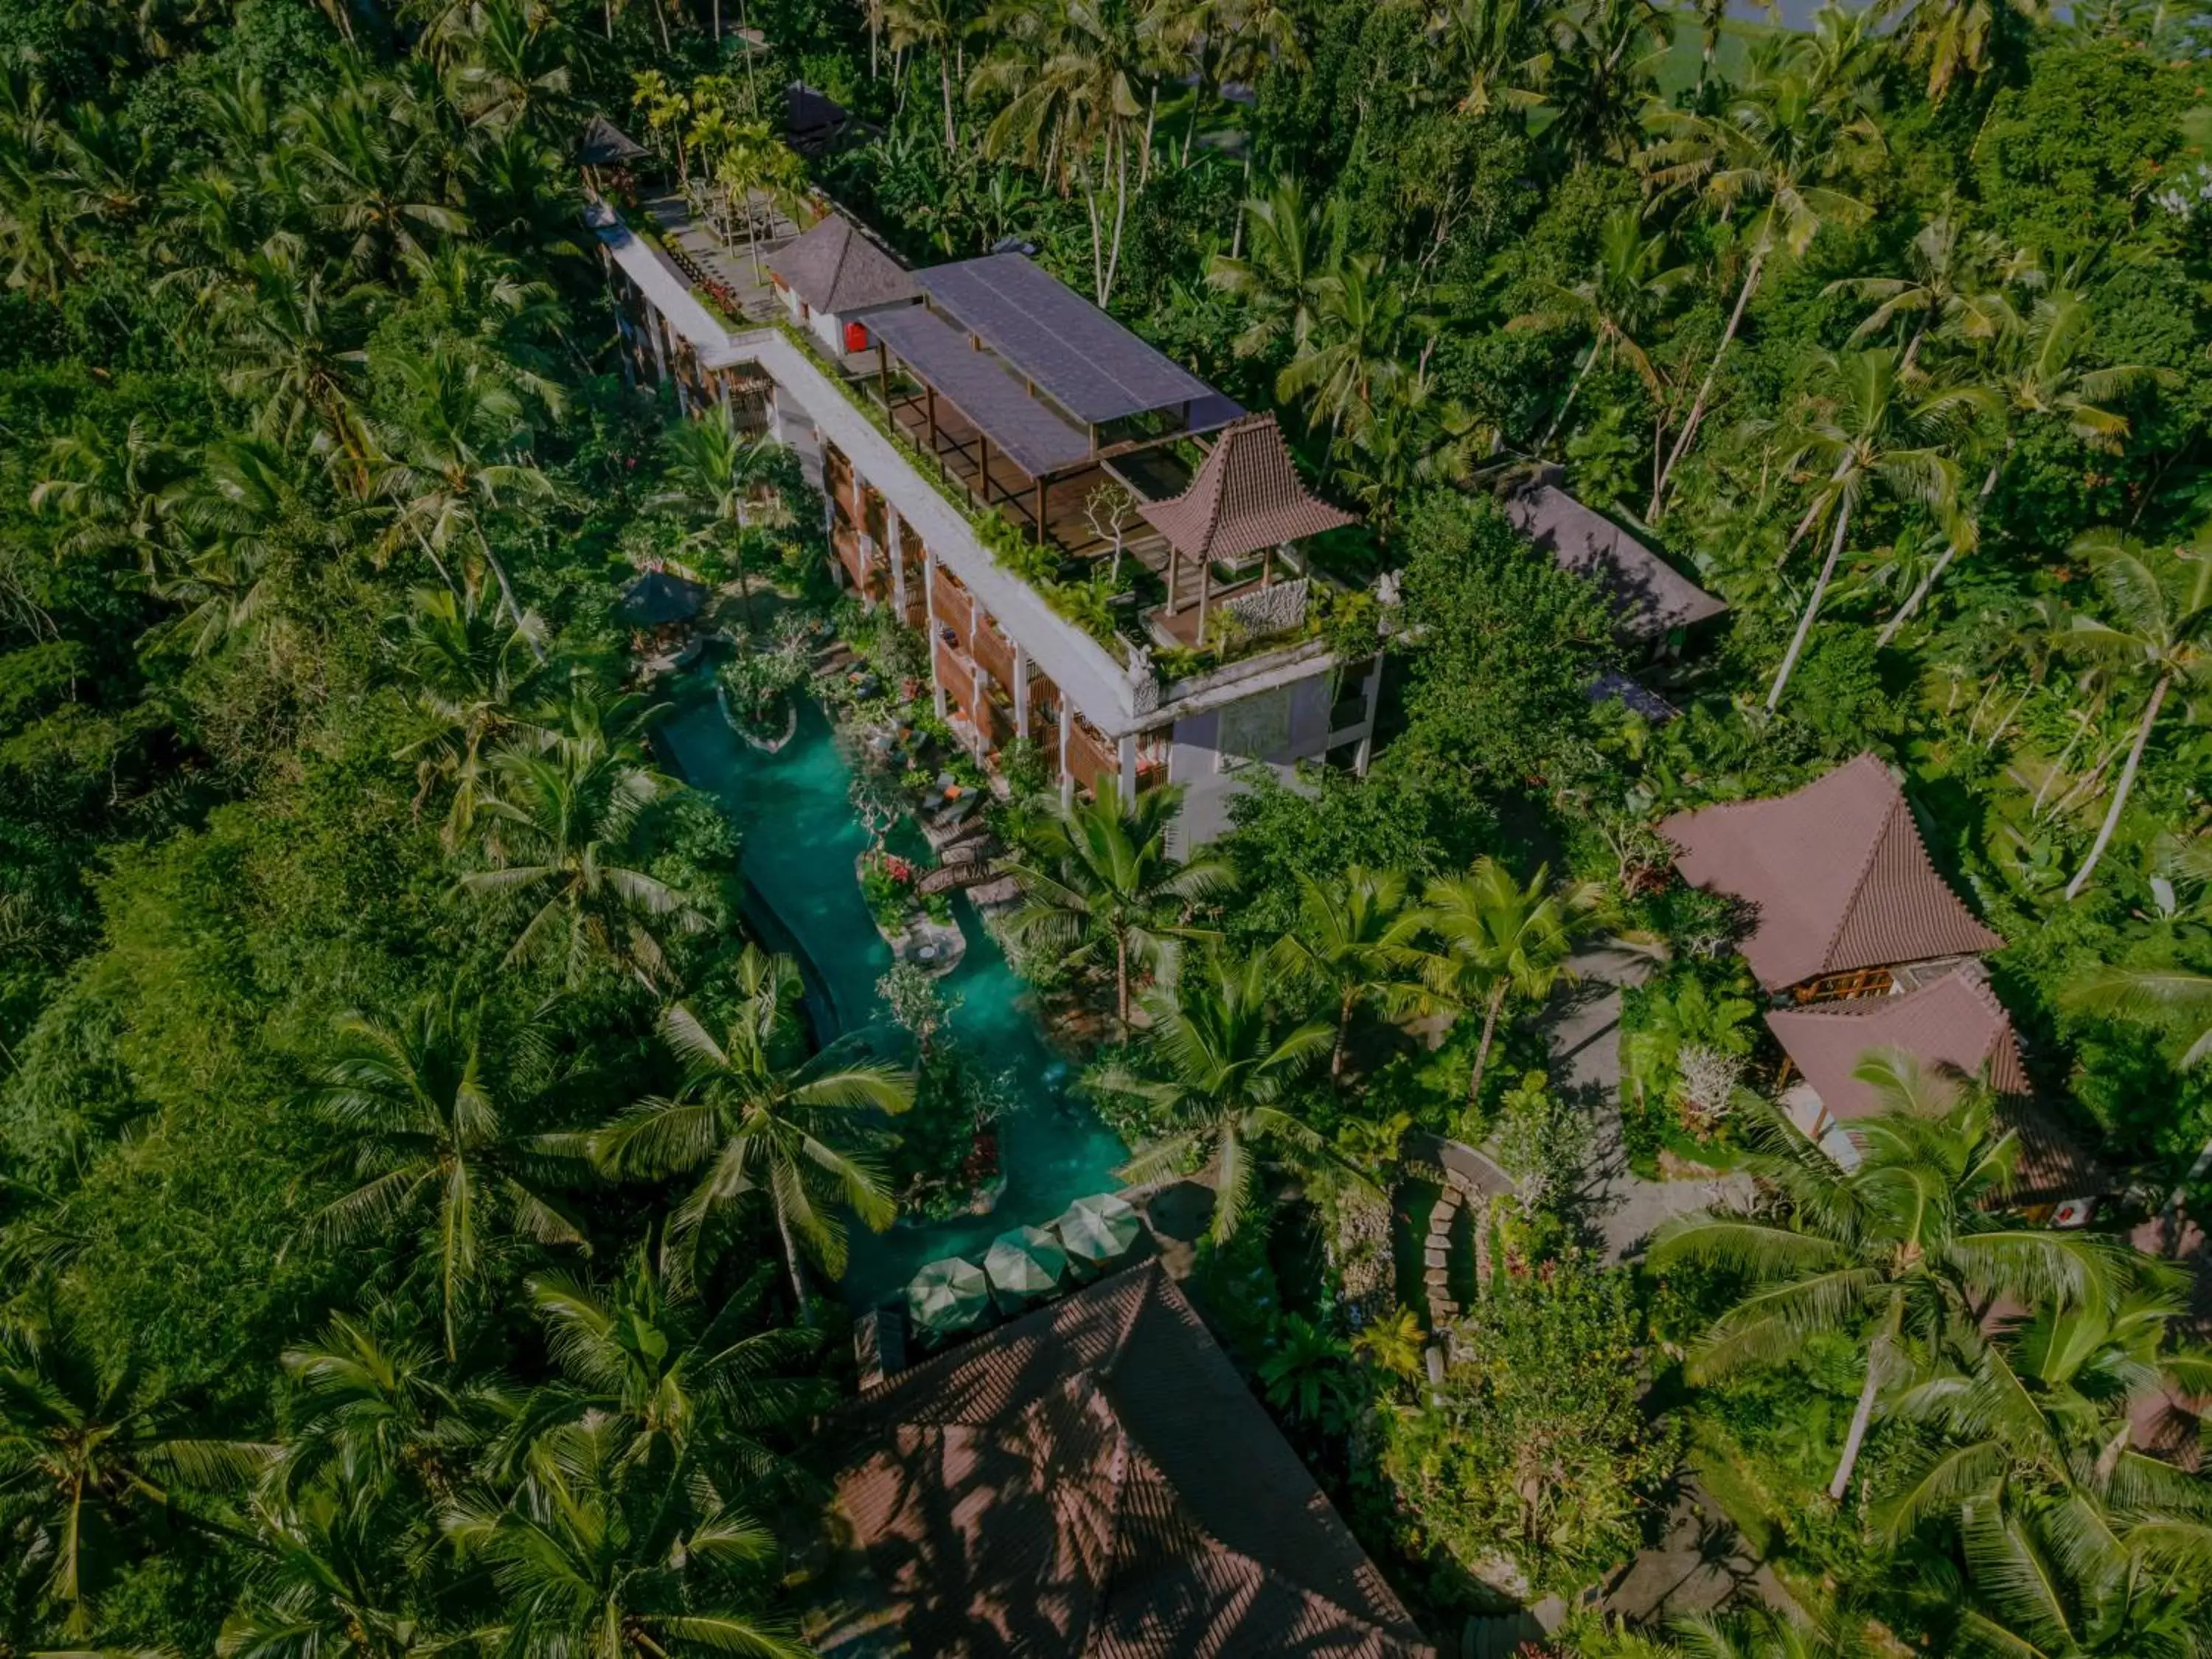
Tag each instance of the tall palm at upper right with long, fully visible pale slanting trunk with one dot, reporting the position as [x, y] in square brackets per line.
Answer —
[1773, 145]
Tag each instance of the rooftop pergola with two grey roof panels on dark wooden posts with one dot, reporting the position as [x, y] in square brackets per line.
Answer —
[1021, 384]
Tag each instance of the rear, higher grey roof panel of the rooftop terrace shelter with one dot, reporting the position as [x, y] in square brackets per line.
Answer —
[1063, 344]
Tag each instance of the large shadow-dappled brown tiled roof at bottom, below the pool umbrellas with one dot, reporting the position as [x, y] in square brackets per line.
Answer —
[1094, 1479]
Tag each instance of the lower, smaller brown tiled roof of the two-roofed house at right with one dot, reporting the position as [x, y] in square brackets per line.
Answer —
[1954, 1023]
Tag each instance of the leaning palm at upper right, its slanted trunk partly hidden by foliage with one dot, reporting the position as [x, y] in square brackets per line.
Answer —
[2036, 373]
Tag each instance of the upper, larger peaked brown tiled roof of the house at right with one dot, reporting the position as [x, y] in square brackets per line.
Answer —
[1839, 877]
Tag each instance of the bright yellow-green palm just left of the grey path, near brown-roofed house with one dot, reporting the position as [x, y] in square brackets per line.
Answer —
[1501, 939]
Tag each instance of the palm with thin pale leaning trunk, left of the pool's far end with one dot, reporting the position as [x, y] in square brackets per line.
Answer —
[457, 463]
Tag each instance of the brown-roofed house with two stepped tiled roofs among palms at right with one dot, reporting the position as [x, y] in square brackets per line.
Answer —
[1868, 950]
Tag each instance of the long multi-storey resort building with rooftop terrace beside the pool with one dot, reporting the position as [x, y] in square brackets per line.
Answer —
[1112, 561]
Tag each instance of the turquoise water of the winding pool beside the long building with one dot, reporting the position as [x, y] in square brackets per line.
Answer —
[802, 897]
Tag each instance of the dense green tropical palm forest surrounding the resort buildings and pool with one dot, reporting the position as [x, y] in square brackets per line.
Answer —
[421, 1200]
